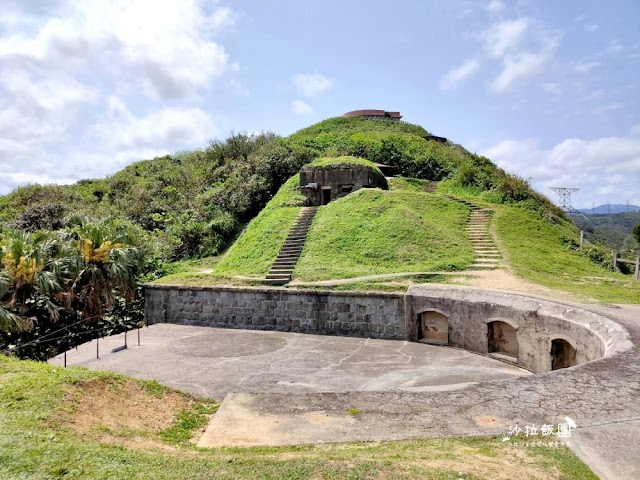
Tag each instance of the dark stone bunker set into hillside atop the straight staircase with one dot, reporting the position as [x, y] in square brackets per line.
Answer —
[323, 184]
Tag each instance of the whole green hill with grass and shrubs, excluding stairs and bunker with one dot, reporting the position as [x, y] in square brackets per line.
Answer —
[195, 204]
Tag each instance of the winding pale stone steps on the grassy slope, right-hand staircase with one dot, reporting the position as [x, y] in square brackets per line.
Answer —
[486, 253]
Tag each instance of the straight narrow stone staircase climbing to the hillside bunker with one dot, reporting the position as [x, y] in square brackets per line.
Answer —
[286, 260]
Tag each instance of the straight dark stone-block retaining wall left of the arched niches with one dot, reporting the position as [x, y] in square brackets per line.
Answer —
[368, 315]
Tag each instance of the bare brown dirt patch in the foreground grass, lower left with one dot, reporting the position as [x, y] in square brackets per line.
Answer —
[121, 412]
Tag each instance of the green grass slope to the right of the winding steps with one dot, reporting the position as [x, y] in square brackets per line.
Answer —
[535, 250]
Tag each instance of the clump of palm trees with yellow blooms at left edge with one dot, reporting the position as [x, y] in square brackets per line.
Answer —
[78, 273]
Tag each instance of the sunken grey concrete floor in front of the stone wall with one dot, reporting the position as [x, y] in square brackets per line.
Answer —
[213, 362]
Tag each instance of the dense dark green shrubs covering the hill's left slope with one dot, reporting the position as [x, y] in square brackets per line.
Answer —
[189, 204]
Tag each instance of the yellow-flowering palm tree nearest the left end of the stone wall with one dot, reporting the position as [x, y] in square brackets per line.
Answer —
[102, 267]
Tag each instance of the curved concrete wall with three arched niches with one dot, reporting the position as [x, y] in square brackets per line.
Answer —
[537, 334]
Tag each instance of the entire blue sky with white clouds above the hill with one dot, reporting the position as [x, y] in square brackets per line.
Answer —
[548, 90]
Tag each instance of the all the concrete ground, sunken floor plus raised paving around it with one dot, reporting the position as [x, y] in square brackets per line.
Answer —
[296, 389]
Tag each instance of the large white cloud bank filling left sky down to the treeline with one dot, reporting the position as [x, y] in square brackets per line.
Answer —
[63, 62]
